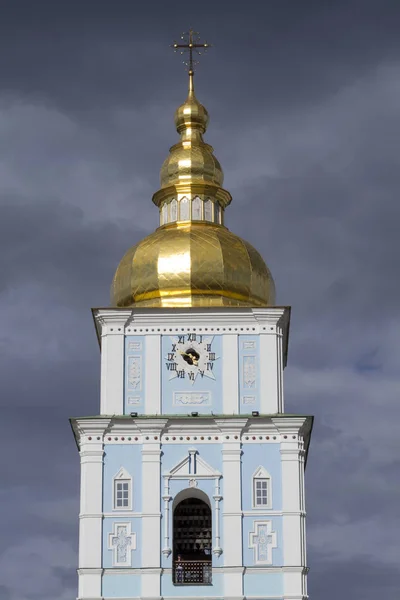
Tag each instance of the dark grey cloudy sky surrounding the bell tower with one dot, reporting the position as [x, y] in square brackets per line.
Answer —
[304, 100]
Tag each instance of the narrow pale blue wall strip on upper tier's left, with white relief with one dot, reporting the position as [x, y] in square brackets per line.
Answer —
[135, 347]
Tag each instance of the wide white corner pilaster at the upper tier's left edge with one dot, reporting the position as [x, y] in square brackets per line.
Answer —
[112, 366]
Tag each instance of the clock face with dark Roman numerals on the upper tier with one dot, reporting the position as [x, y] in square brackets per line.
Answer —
[190, 356]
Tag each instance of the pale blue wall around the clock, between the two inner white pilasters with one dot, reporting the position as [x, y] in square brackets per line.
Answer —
[213, 387]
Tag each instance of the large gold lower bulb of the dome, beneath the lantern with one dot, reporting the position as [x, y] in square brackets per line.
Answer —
[192, 264]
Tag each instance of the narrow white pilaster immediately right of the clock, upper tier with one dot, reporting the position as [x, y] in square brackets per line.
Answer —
[230, 374]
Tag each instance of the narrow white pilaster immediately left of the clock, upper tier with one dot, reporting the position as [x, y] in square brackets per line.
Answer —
[153, 375]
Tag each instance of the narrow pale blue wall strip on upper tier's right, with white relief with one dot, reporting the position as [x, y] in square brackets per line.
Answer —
[249, 393]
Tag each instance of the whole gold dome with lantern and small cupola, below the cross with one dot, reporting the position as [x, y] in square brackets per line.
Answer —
[192, 259]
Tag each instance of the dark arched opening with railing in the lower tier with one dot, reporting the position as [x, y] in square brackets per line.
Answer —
[192, 542]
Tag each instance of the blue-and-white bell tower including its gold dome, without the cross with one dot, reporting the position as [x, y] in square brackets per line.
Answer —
[192, 474]
